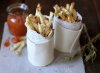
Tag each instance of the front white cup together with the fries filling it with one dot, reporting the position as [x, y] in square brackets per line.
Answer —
[40, 38]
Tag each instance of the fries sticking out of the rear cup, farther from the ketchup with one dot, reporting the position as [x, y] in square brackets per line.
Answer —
[67, 13]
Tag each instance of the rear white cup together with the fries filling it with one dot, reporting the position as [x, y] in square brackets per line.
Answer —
[68, 26]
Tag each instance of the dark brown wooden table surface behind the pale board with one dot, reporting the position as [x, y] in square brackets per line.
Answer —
[89, 9]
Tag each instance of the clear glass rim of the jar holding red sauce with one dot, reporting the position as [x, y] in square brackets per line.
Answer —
[22, 6]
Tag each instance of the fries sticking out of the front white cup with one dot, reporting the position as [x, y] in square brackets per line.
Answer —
[40, 23]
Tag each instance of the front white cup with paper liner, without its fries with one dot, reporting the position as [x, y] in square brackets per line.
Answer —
[40, 50]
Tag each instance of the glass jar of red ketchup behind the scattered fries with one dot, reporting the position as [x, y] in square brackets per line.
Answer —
[16, 19]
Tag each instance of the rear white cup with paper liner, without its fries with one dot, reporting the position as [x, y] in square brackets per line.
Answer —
[67, 34]
